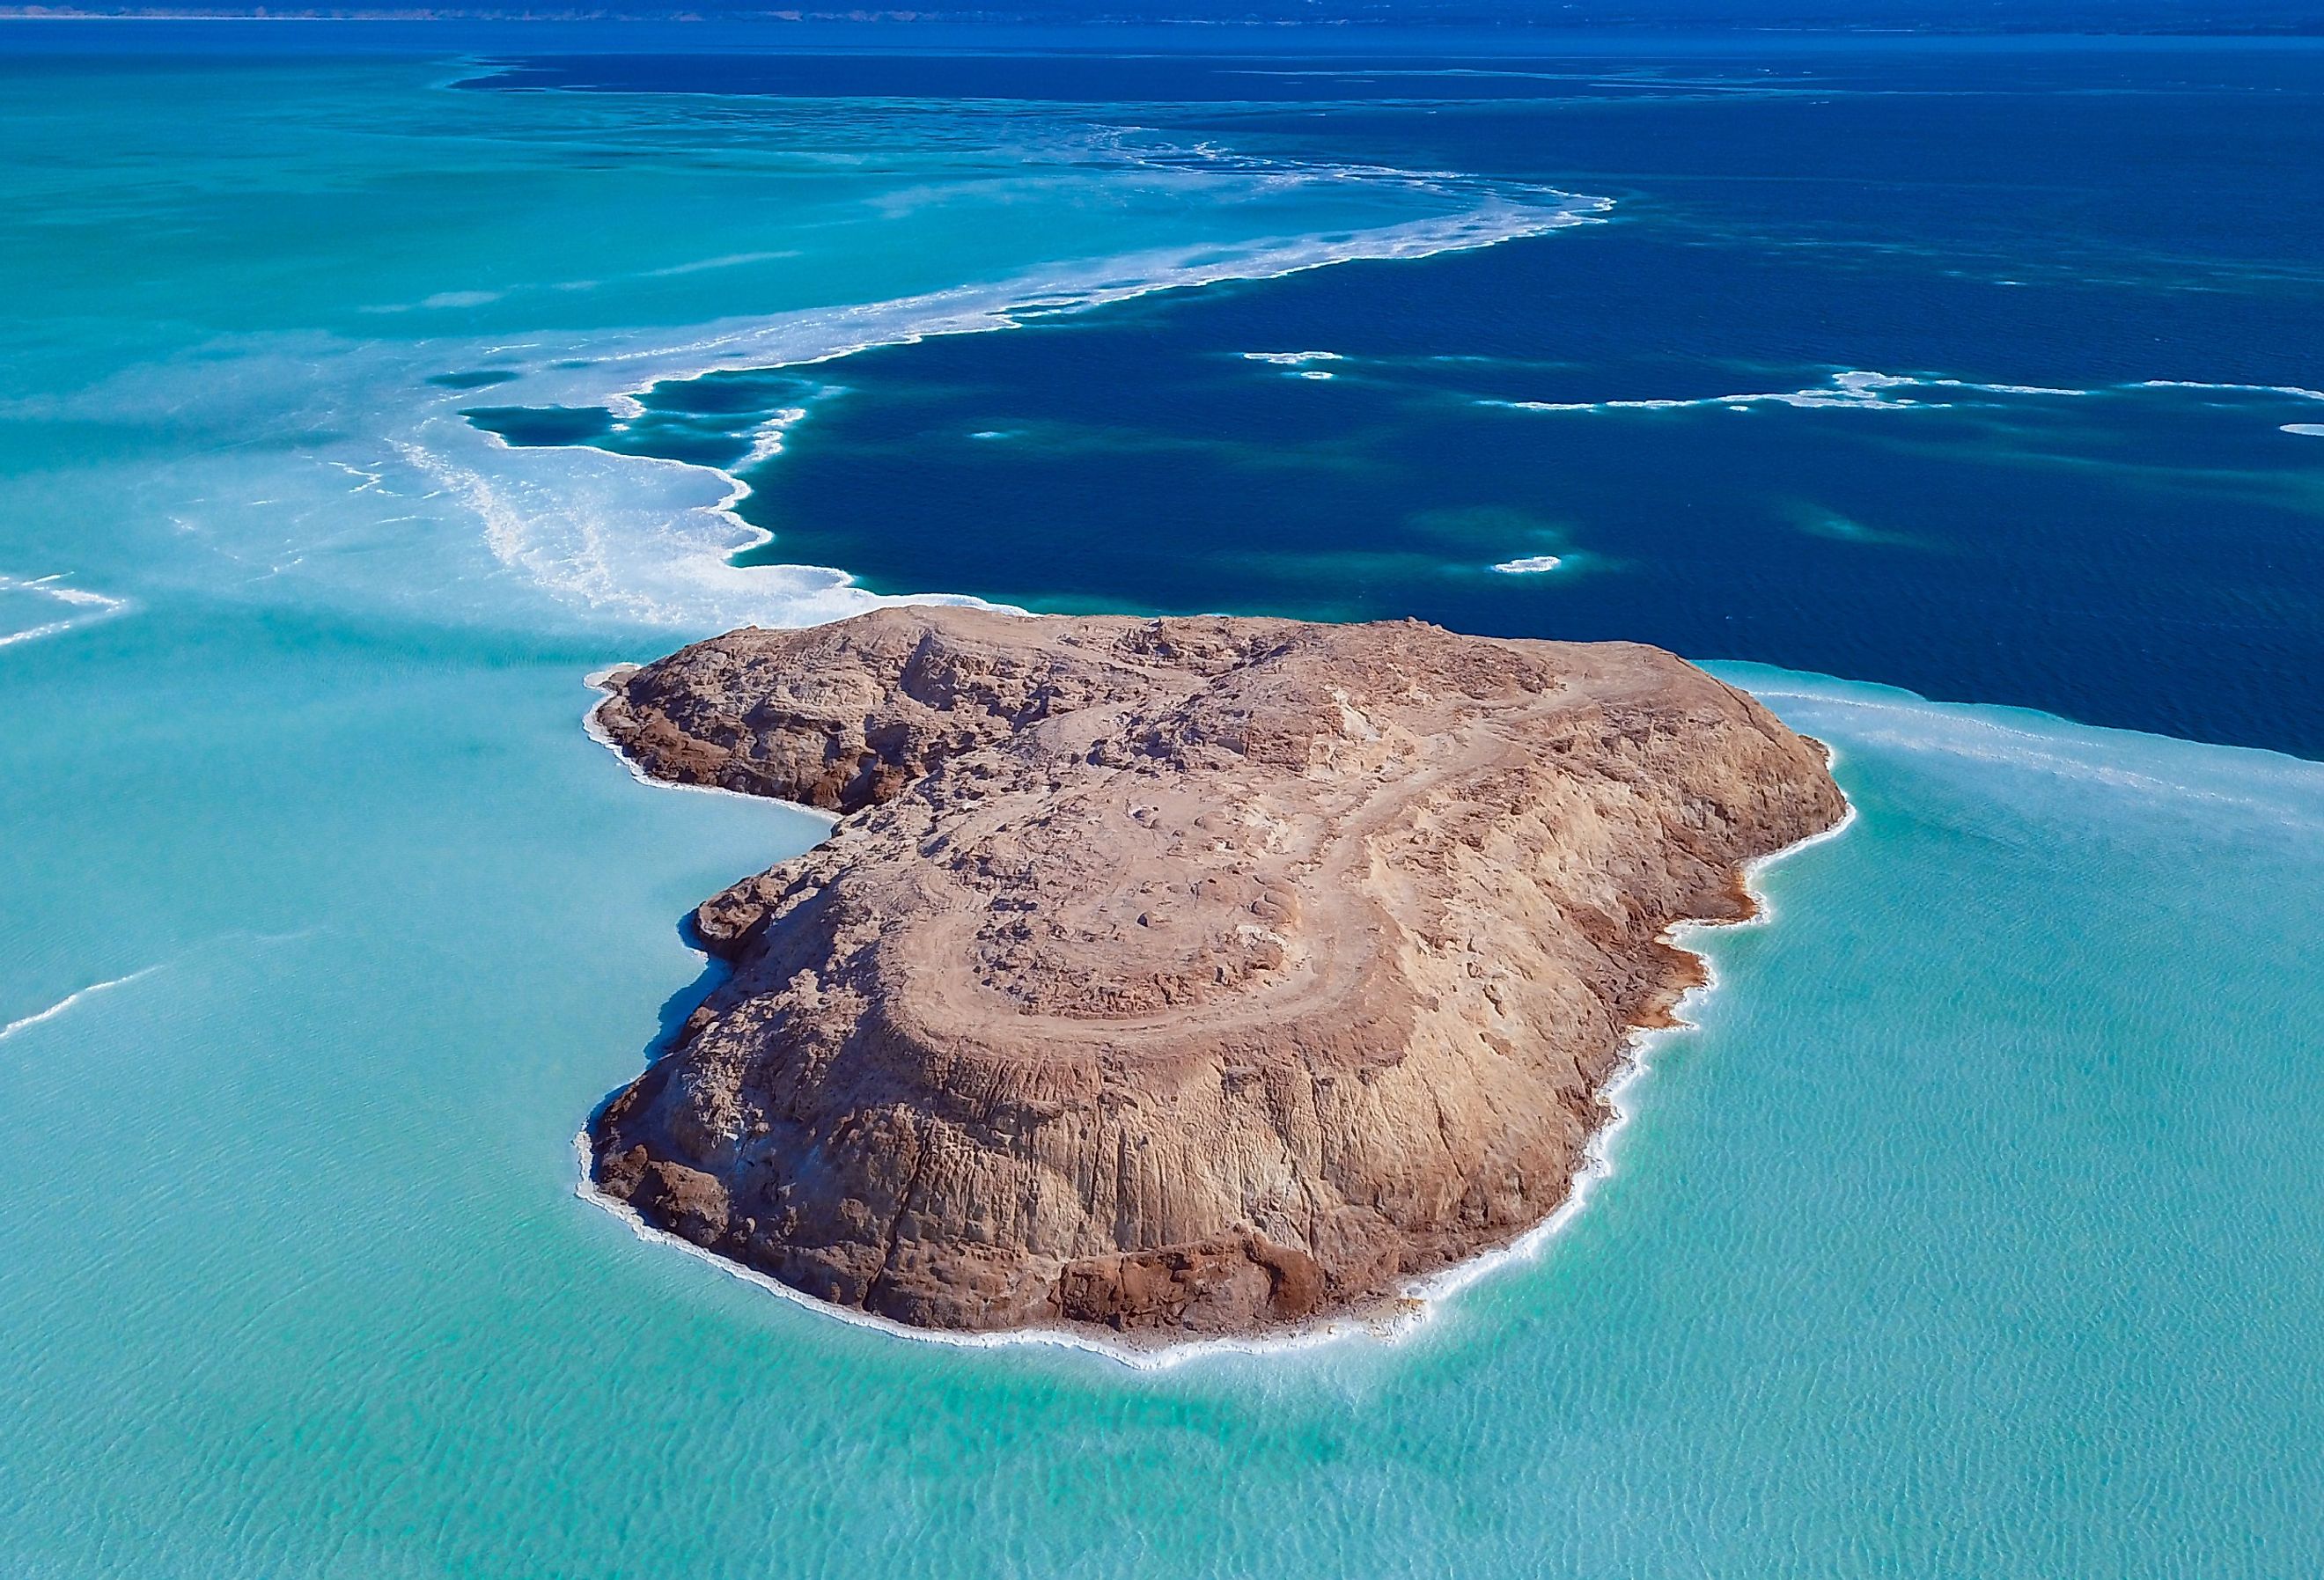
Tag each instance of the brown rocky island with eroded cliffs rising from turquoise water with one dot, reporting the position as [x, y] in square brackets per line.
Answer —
[1177, 977]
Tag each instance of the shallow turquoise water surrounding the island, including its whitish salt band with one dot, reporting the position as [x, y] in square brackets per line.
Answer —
[1970, 1235]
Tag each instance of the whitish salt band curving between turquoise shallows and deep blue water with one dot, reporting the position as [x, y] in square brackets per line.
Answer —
[415, 505]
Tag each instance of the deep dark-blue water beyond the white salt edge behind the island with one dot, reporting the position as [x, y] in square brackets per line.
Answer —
[2067, 217]
